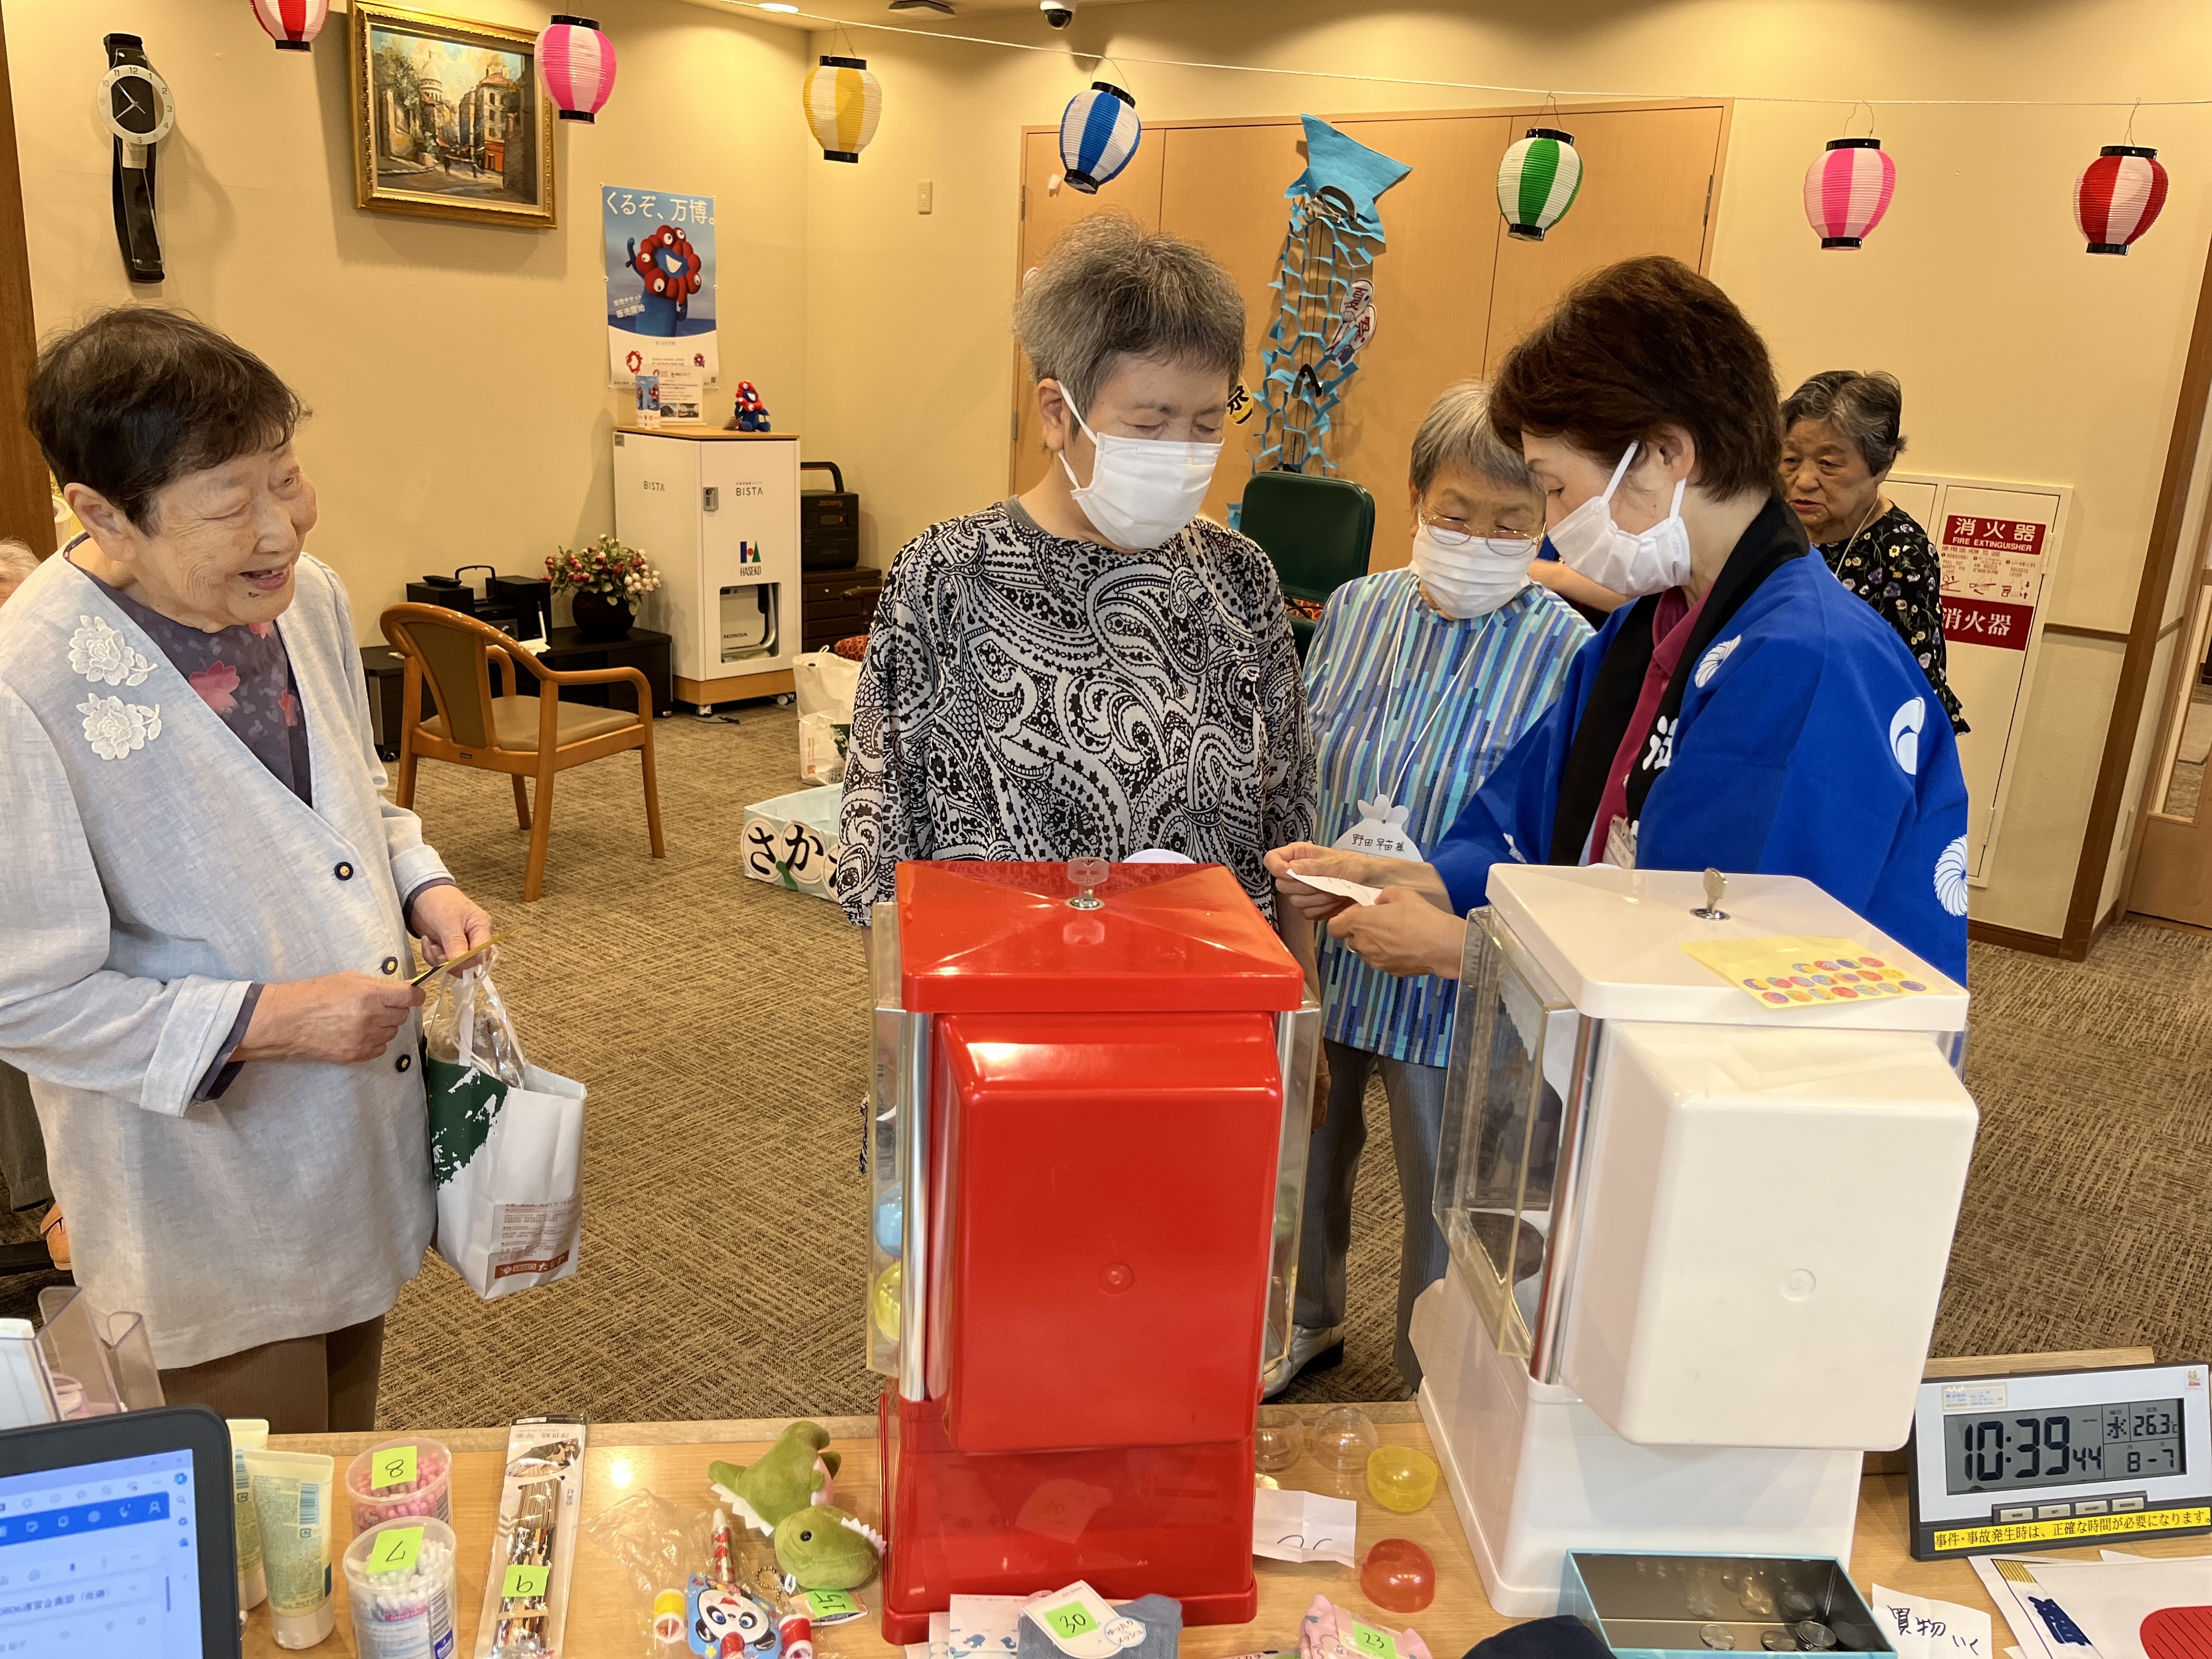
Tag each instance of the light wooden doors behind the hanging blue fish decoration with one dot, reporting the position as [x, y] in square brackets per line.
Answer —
[1452, 289]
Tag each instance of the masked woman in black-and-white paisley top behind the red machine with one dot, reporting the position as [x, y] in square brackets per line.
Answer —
[1092, 669]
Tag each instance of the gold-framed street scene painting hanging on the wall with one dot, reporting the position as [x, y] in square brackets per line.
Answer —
[450, 121]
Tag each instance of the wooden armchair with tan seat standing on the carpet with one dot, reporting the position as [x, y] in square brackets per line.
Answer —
[528, 738]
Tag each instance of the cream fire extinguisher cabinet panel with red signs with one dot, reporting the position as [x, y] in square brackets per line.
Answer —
[1999, 547]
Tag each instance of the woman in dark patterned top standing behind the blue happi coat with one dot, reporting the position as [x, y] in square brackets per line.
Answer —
[1839, 444]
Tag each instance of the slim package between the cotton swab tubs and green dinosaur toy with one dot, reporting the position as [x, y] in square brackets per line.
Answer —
[534, 1545]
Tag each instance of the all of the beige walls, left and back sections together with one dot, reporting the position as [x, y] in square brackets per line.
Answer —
[457, 371]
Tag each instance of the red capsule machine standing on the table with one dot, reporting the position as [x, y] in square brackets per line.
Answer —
[1087, 1229]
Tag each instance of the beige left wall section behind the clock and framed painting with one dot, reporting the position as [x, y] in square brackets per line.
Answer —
[457, 371]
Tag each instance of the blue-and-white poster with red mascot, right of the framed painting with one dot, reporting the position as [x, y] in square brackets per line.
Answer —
[660, 284]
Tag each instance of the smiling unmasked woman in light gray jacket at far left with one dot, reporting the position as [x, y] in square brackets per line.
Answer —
[207, 901]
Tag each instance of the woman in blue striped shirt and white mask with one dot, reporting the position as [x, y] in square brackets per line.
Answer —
[1419, 682]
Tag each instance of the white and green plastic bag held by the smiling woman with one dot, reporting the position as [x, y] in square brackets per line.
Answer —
[505, 1145]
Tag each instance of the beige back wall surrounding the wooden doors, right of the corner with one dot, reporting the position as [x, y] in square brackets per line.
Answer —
[2023, 357]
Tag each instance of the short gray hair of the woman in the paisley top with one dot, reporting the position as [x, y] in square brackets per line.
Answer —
[1112, 291]
